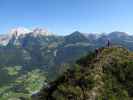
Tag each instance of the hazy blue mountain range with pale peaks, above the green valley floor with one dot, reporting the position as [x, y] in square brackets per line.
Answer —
[42, 49]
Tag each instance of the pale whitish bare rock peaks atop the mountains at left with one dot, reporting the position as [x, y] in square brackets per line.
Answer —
[16, 34]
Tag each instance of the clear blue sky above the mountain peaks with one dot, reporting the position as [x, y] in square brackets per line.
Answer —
[66, 16]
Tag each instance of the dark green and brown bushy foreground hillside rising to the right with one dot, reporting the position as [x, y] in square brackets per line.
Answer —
[105, 75]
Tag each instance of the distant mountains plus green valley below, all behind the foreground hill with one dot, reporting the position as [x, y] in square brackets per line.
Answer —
[29, 59]
